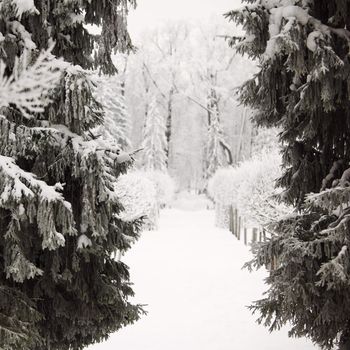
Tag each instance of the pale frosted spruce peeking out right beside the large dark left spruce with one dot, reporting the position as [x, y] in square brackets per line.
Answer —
[111, 95]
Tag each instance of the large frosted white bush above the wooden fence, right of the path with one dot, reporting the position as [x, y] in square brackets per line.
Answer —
[250, 188]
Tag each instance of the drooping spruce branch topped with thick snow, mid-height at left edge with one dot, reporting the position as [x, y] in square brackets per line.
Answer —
[36, 200]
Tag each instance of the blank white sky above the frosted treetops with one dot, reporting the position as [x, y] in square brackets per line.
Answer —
[150, 13]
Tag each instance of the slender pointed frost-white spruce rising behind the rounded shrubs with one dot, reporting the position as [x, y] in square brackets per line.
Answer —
[154, 140]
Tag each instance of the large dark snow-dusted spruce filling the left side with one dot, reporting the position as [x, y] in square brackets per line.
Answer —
[60, 288]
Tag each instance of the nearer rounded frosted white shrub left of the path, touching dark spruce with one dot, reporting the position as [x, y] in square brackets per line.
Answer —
[138, 195]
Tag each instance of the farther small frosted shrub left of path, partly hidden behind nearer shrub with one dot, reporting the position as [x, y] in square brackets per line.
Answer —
[164, 185]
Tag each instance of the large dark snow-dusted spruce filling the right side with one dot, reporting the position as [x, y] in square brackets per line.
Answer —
[303, 88]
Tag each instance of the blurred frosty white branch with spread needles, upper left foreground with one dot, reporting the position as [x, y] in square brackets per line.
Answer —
[30, 85]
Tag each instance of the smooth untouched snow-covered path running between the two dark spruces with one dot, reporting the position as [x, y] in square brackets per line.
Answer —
[189, 273]
